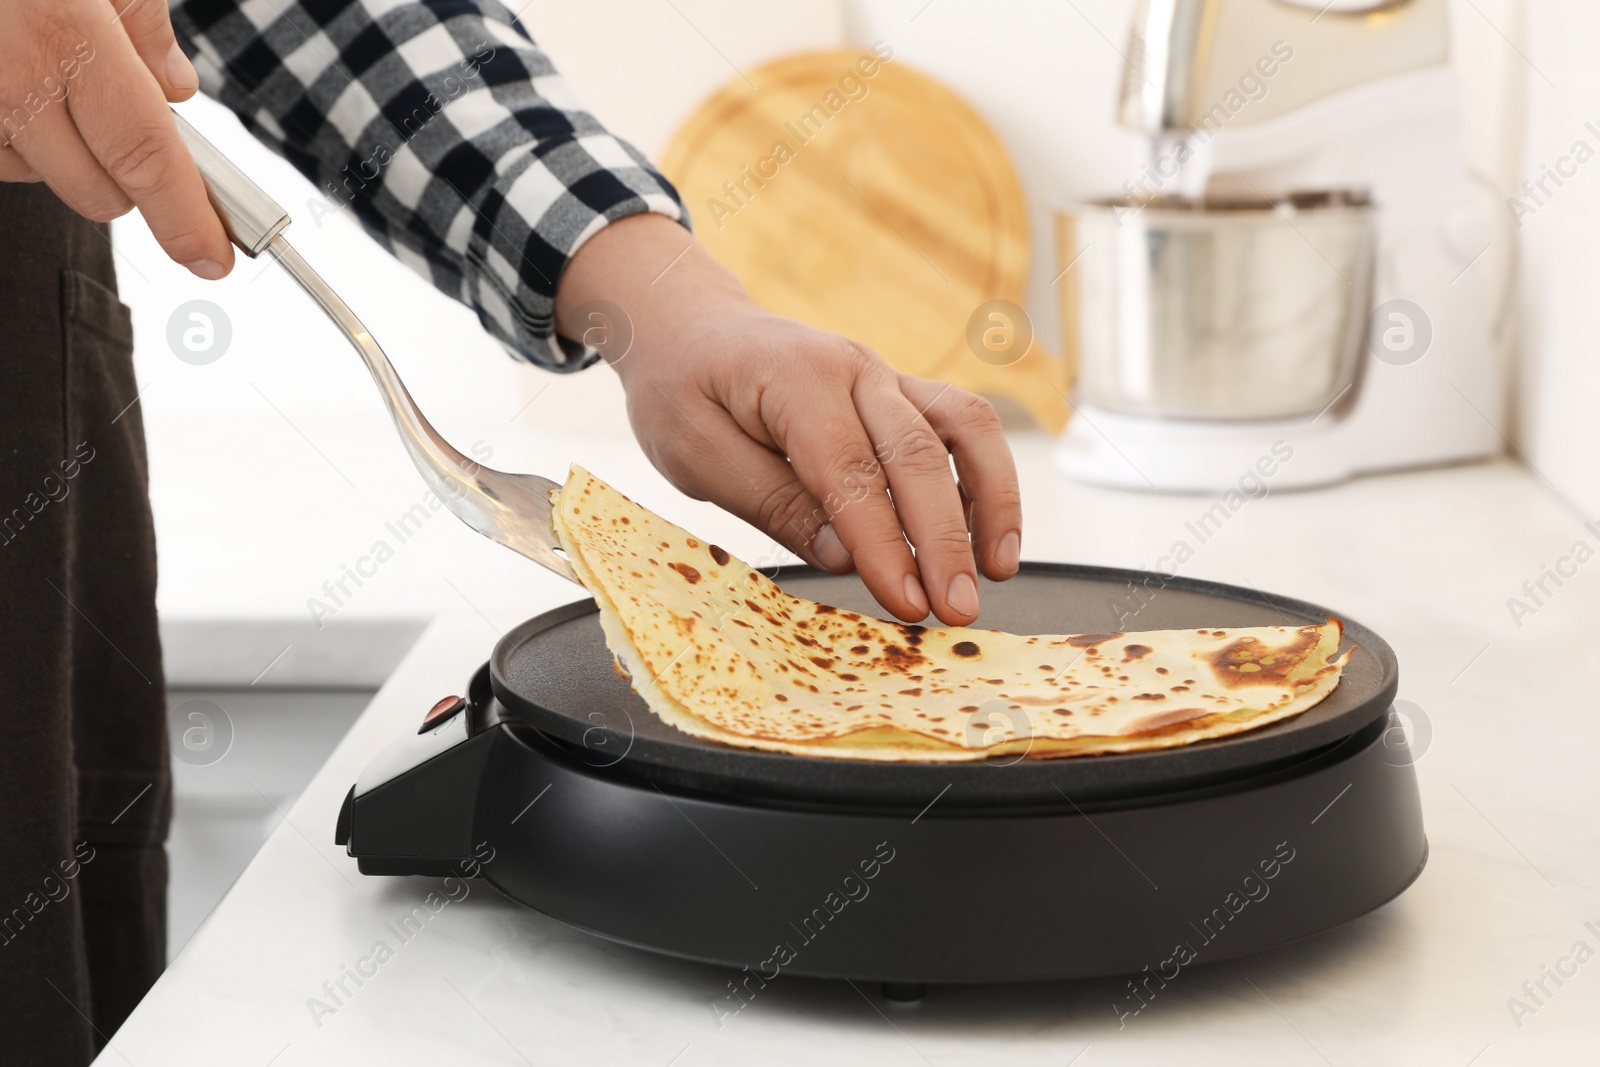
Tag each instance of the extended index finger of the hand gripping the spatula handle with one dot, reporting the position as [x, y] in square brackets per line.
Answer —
[126, 122]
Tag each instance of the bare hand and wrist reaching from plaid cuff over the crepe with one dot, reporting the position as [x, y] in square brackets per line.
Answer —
[801, 433]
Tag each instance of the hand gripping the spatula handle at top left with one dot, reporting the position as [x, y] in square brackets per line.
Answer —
[84, 90]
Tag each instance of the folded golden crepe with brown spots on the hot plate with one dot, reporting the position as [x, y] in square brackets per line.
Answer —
[721, 652]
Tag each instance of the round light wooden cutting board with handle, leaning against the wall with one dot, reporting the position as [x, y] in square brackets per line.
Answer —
[863, 198]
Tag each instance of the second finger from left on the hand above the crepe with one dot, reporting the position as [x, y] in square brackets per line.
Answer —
[831, 452]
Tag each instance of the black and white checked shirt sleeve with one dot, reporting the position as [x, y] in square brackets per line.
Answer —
[449, 134]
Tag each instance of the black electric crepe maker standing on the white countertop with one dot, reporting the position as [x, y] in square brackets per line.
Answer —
[1172, 857]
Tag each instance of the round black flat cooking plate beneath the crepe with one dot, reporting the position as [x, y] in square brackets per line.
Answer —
[556, 674]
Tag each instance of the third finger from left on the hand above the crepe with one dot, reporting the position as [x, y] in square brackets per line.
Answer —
[927, 500]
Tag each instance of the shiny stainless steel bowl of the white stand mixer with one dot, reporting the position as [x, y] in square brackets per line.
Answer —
[1217, 310]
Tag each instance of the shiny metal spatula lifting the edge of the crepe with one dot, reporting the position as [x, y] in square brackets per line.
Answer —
[513, 510]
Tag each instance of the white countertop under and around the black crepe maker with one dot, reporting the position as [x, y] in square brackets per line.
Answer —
[1510, 793]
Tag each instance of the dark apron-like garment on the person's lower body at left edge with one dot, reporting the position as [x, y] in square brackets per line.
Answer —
[86, 789]
